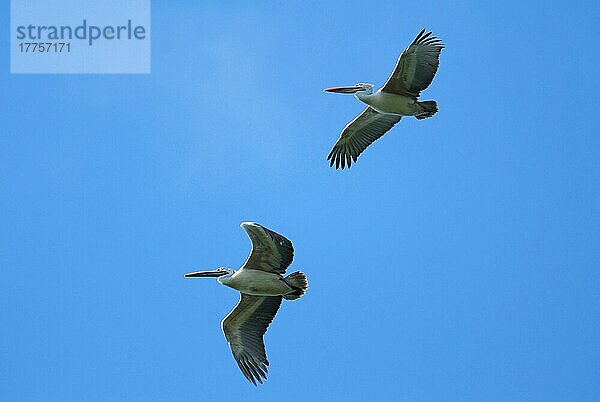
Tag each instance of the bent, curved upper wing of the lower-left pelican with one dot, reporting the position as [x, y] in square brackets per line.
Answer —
[271, 252]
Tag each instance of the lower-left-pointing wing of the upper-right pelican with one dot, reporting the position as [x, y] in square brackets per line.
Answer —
[359, 134]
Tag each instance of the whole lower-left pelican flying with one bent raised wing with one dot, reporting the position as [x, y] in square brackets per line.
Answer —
[262, 286]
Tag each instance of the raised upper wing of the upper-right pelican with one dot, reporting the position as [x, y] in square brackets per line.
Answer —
[416, 66]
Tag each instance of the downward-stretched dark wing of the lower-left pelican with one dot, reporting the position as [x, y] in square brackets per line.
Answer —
[244, 328]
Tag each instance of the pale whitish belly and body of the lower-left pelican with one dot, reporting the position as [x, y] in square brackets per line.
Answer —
[259, 283]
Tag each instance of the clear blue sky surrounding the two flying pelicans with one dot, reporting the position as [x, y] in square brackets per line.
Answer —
[457, 260]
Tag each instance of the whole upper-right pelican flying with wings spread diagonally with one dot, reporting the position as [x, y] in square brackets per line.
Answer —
[414, 71]
